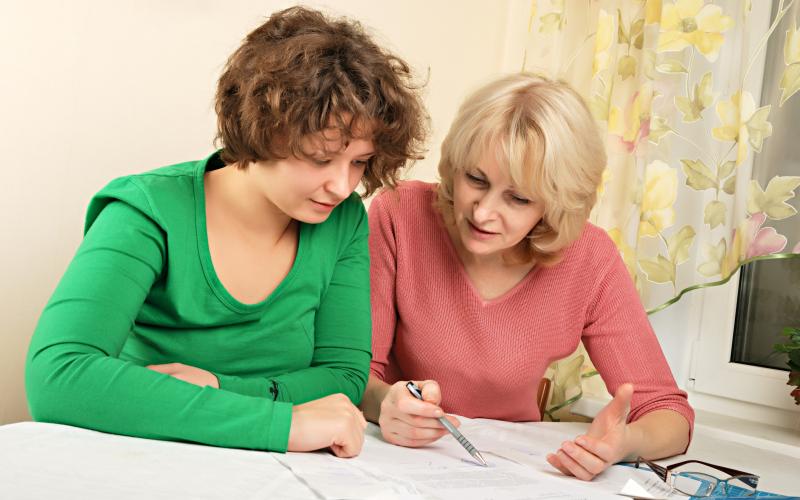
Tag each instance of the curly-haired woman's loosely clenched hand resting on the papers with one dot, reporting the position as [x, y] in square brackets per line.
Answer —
[332, 421]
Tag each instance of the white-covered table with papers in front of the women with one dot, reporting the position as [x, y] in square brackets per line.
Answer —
[40, 460]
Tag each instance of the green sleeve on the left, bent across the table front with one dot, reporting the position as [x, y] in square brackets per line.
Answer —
[73, 374]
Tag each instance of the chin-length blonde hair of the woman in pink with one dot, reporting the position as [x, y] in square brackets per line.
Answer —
[543, 132]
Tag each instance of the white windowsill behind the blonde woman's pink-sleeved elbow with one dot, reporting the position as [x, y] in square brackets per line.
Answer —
[764, 436]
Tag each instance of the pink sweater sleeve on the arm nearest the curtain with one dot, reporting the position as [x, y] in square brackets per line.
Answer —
[623, 346]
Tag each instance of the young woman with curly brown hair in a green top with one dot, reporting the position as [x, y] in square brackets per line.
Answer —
[226, 301]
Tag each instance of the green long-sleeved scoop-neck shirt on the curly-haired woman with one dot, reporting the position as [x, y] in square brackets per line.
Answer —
[142, 290]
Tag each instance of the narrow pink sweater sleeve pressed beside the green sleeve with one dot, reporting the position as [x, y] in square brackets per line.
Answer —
[383, 271]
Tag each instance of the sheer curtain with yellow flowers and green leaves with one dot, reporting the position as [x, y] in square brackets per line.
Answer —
[677, 88]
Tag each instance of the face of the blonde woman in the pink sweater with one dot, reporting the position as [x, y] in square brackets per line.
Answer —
[491, 215]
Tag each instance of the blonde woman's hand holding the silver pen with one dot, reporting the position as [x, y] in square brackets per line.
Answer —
[407, 421]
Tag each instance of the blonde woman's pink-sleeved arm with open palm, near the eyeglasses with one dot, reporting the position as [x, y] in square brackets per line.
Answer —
[649, 416]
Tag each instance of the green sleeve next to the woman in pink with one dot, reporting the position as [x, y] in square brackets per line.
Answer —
[341, 334]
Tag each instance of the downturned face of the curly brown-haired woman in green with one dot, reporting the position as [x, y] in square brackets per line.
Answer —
[308, 189]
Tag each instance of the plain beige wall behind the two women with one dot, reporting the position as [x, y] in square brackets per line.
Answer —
[92, 90]
